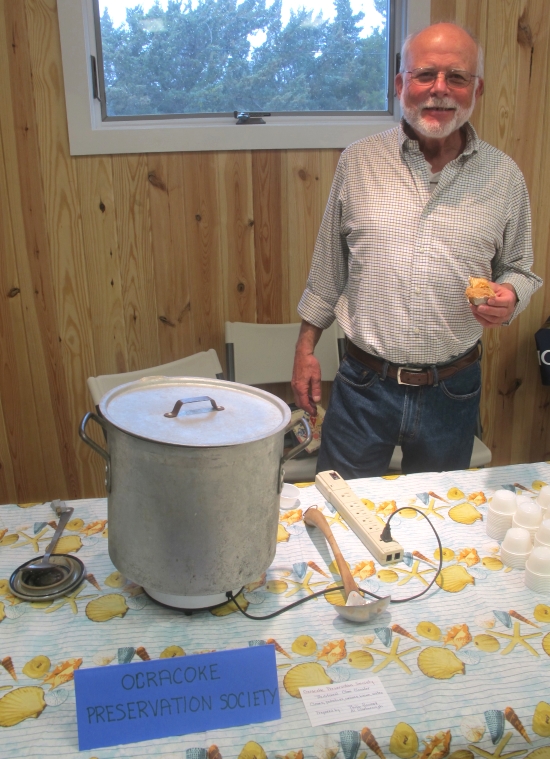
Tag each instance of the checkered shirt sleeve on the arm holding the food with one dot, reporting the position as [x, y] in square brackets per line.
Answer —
[512, 263]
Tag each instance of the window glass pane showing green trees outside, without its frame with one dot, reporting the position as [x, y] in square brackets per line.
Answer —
[221, 56]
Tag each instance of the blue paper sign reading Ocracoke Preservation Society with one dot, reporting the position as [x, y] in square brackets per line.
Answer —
[189, 694]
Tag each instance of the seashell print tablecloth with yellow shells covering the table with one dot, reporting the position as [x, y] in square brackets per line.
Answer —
[467, 666]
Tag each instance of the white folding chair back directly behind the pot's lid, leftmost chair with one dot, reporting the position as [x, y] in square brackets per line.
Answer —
[204, 364]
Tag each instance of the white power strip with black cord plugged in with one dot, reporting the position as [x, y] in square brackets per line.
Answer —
[364, 524]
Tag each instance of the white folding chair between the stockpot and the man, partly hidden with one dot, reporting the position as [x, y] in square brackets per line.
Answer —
[258, 354]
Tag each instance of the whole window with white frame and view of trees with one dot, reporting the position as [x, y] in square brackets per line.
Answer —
[168, 76]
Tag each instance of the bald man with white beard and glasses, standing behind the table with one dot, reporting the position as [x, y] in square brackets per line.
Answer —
[413, 213]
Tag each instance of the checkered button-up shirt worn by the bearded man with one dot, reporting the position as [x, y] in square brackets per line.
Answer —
[392, 260]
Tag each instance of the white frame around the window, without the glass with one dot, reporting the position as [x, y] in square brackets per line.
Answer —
[89, 134]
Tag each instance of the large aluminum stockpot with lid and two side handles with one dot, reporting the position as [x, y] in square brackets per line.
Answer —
[194, 470]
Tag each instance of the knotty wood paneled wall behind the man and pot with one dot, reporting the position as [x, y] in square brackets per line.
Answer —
[114, 263]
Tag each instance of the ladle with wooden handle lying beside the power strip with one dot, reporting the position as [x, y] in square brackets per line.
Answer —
[357, 608]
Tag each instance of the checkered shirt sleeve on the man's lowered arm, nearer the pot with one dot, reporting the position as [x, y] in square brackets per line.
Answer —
[329, 267]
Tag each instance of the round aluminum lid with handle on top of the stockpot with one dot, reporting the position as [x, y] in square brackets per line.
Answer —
[244, 413]
